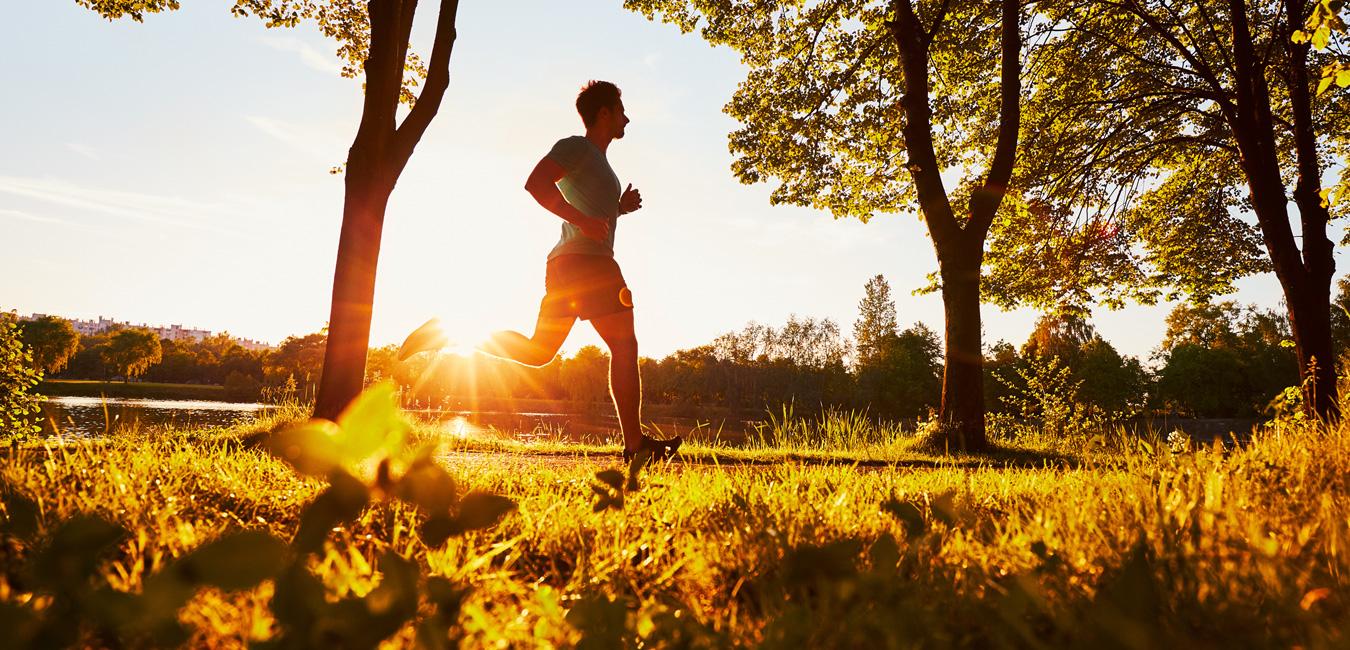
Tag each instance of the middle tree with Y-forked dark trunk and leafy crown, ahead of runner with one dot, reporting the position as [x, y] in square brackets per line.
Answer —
[859, 107]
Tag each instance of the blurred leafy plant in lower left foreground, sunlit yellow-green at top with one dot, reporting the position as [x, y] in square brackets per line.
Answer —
[65, 570]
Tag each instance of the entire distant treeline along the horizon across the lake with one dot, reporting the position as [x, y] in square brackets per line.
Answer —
[1218, 360]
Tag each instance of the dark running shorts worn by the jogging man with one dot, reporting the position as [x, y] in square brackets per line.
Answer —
[584, 287]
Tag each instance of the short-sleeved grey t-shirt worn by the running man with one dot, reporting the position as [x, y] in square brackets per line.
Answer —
[592, 187]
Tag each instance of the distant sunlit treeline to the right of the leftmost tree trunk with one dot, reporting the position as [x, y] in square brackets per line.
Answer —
[1220, 360]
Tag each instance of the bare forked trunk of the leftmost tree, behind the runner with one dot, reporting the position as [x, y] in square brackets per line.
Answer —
[376, 160]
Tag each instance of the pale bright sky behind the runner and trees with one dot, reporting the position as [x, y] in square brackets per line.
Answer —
[178, 171]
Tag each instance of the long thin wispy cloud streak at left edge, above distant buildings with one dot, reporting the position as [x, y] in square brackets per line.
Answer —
[164, 210]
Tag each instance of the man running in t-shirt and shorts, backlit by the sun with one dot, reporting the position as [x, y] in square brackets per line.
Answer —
[583, 280]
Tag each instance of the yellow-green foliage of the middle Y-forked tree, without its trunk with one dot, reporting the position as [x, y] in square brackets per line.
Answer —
[820, 107]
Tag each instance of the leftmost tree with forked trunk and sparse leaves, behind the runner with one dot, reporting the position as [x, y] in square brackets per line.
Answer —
[375, 37]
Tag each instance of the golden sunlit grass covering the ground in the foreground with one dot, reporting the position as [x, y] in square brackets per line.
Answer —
[1197, 548]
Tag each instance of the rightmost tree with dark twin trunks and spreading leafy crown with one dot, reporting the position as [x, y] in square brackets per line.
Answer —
[1159, 122]
